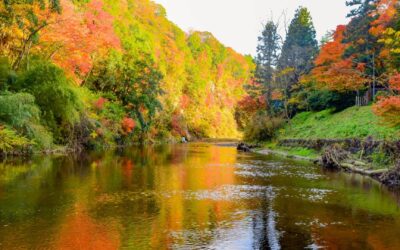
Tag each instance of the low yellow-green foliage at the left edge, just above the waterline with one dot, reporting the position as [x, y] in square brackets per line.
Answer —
[11, 142]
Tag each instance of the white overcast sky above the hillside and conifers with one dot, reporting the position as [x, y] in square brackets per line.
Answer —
[237, 23]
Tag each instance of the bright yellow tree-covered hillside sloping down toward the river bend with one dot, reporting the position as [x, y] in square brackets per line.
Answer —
[203, 79]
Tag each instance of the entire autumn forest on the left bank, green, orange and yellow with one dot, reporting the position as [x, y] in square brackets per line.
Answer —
[89, 74]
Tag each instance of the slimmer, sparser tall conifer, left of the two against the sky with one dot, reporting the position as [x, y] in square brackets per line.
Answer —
[267, 58]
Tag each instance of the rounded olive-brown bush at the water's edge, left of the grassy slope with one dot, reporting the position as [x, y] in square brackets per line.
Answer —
[263, 127]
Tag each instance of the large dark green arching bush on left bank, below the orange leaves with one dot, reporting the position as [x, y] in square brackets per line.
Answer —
[56, 96]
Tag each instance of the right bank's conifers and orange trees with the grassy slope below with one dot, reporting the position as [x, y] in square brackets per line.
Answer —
[355, 65]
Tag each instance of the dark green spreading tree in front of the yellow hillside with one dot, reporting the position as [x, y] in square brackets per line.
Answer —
[135, 82]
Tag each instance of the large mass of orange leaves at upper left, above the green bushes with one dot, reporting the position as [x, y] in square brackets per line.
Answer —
[74, 37]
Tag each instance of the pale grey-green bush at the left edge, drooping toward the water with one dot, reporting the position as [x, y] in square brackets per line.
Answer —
[20, 112]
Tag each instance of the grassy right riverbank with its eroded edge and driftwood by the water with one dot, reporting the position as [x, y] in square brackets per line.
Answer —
[353, 140]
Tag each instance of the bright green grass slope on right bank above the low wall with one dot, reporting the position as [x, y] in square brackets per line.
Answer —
[355, 122]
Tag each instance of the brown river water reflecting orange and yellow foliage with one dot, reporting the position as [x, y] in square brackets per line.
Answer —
[197, 196]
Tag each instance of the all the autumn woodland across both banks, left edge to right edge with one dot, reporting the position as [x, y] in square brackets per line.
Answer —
[84, 74]
